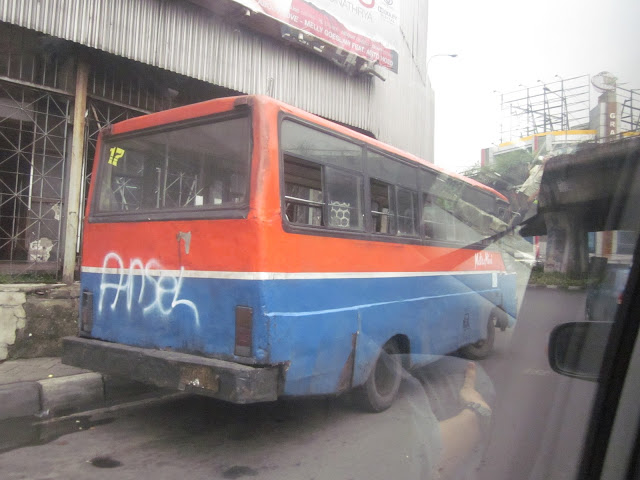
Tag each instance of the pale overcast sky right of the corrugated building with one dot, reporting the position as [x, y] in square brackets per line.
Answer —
[502, 44]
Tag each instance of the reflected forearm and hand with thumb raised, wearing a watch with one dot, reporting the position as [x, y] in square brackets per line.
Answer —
[461, 434]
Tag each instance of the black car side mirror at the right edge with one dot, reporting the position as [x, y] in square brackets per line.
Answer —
[576, 349]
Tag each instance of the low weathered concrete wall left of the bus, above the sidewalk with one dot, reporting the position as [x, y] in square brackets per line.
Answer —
[34, 318]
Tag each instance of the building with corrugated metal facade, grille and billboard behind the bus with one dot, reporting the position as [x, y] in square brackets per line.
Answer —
[69, 68]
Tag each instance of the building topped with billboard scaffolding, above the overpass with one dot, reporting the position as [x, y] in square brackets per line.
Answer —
[556, 117]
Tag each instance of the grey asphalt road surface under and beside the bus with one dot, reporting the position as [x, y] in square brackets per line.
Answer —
[539, 422]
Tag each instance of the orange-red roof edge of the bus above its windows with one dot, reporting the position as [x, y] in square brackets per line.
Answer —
[216, 105]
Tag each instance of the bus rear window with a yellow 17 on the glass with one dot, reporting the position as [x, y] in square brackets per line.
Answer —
[195, 167]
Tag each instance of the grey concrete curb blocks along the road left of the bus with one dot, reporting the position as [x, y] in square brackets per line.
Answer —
[59, 396]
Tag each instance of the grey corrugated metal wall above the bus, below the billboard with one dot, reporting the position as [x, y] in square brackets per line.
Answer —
[183, 38]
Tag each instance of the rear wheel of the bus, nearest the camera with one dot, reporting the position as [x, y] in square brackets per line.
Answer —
[380, 389]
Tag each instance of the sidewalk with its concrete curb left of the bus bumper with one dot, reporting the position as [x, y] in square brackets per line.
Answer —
[46, 387]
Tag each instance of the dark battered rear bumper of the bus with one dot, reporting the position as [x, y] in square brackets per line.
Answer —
[220, 379]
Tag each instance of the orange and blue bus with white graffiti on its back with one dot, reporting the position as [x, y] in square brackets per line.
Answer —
[247, 250]
